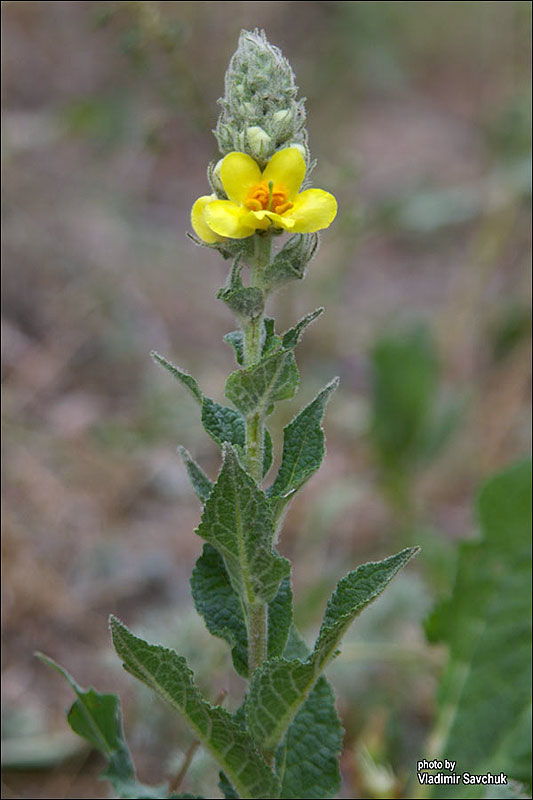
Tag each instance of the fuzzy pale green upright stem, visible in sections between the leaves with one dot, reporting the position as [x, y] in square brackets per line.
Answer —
[255, 433]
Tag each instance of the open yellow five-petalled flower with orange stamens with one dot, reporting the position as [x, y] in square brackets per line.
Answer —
[262, 200]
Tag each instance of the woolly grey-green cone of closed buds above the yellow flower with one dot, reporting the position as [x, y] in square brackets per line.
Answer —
[260, 113]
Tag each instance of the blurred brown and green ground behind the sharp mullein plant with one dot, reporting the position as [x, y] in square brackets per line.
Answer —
[419, 115]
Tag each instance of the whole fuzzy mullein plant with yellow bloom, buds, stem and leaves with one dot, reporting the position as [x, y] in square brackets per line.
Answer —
[285, 739]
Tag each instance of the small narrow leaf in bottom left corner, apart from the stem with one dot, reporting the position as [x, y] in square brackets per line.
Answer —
[98, 719]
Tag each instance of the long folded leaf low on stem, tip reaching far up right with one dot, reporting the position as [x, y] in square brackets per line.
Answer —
[280, 687]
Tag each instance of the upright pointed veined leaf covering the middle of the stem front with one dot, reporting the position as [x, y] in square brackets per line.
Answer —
[237, 521]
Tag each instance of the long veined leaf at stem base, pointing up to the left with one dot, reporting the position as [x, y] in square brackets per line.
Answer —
[167, 673]
